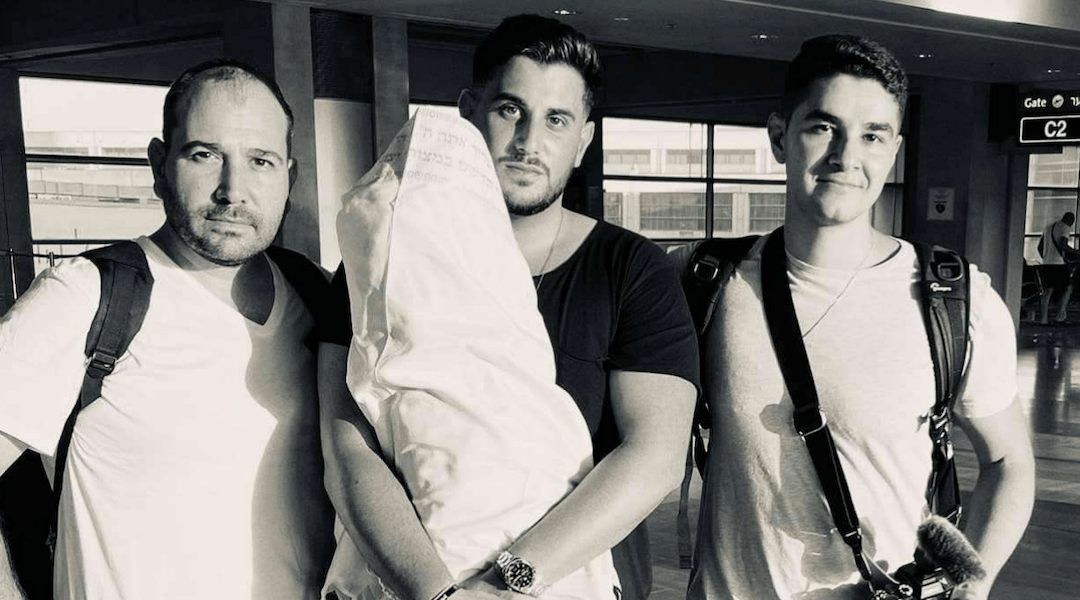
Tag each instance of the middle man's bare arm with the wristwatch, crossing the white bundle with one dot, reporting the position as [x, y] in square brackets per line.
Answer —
[654, 414]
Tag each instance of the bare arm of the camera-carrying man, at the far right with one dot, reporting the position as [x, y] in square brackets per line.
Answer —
[1005, 494]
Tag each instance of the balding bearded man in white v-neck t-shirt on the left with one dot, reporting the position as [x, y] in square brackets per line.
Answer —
[197, 473]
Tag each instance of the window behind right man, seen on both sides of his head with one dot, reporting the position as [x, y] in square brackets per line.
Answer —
[658, 182]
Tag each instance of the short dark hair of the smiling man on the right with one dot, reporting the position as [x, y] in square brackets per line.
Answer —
[831, 56]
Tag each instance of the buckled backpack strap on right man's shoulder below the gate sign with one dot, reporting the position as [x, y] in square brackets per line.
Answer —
[947, 285]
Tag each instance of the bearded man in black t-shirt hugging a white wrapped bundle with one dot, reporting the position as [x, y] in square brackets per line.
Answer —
[625, 345]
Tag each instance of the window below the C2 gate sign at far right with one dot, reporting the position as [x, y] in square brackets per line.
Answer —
[1054, 187]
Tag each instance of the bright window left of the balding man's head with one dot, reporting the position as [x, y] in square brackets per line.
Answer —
[88, 174]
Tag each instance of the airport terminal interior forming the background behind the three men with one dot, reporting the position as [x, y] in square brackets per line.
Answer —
[991, 154]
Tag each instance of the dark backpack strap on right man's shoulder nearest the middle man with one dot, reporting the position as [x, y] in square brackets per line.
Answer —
[711, 266]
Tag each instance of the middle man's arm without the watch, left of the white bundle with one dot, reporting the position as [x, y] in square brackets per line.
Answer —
[368, 497]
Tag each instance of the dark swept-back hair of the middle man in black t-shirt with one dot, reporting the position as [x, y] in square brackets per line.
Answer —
[544, 40]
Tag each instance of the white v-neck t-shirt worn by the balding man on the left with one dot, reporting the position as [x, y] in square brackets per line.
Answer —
[198, 473]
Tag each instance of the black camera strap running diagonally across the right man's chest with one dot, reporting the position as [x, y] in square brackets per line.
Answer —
[809, 421]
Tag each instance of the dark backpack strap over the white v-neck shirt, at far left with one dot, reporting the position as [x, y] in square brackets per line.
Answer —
[126, 296]
